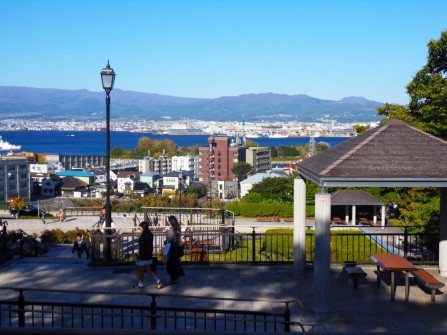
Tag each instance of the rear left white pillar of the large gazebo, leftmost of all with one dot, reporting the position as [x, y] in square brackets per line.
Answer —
[299, 226]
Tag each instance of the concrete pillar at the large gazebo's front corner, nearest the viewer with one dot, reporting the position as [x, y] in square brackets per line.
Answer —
[322, 254]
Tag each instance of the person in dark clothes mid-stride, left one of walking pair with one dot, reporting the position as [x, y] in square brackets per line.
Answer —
[145, 260]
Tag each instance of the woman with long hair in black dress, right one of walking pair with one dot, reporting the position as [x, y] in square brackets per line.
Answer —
[173, 265]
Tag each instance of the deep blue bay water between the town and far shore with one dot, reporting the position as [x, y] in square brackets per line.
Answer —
[94, 142]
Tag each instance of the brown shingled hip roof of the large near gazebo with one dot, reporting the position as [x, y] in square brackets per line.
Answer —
[393, 154]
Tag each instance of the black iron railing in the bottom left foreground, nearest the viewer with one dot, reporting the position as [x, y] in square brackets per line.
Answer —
[41, 311]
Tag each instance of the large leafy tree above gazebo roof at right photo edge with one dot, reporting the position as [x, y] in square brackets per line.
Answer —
[427, 109]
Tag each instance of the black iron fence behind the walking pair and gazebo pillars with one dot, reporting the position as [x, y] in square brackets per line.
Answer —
[220, 244]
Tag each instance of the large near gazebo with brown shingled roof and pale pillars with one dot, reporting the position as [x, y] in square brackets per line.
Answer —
[391, 155]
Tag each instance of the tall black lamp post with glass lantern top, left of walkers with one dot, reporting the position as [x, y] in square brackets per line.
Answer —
[108, 79]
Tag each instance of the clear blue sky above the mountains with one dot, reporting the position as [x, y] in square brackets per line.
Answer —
[325, 49]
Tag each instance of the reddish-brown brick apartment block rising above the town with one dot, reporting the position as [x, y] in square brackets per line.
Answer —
[217, 159]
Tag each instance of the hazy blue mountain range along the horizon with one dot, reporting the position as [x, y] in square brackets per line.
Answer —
[56, 104]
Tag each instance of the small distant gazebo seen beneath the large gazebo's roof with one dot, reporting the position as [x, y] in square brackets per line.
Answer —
[356, 198]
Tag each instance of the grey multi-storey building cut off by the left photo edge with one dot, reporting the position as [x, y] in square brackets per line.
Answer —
[14, 178]
